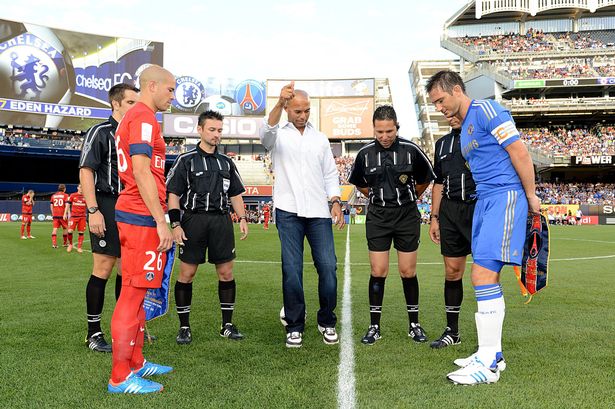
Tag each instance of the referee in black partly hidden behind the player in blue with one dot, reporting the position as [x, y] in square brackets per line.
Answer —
[452, 209]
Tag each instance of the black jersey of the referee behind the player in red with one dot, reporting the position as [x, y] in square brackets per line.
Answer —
[98, 153]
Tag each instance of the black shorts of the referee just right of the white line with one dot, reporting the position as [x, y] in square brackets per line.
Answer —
[402, 225]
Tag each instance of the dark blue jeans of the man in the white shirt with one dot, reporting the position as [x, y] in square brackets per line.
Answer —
[292, 231]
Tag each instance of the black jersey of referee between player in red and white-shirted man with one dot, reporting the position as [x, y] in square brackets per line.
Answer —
[204, 181]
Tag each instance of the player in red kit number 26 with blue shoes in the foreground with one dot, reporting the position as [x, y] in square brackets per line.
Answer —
[144, 234]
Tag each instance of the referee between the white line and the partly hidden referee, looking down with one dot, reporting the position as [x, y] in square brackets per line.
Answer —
[393, 173]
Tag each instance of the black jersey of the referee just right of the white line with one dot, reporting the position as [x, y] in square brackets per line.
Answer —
[391, 174]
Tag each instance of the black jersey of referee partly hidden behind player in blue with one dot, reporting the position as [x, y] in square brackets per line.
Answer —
[451, 169]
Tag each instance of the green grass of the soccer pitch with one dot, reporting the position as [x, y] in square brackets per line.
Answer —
[559, 348]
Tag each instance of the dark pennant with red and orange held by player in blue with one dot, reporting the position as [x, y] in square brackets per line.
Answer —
[533, 275]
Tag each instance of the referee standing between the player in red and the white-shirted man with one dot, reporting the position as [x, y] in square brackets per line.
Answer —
[200, 183]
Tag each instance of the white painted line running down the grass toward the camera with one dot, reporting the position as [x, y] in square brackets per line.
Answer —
[345, 376]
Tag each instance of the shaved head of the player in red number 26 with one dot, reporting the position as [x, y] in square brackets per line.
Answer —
[157, 87]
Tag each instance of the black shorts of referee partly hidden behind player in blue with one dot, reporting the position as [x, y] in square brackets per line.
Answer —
[456, 227]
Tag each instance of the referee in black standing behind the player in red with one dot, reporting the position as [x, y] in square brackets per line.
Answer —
[101, 186]
